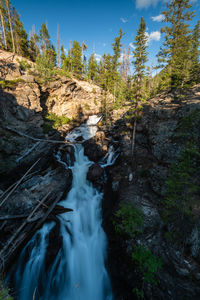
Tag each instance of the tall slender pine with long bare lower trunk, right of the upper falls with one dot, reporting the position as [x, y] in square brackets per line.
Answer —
[140, 58]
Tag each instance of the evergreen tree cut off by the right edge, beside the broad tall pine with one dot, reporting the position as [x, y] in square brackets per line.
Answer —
[195, 64]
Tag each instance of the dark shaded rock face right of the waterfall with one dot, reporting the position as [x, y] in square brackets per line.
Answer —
[161, 135]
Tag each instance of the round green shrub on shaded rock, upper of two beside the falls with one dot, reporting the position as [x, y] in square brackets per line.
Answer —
[129, 219]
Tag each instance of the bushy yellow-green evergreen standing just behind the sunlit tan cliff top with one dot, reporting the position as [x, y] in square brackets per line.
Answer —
[77, 66]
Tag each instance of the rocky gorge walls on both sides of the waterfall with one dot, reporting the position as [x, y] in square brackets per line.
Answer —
[168, 122]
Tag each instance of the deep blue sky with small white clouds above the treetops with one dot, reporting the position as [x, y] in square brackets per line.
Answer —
[97, 23]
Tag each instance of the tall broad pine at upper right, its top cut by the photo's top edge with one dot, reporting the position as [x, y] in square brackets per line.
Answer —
[176, 51]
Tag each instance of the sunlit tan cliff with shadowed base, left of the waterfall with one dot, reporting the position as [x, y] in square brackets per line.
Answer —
[23, 106]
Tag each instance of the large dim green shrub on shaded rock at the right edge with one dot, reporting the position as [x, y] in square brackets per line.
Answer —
[181, 194]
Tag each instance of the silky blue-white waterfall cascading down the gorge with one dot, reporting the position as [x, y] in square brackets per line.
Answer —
[78, 271]
